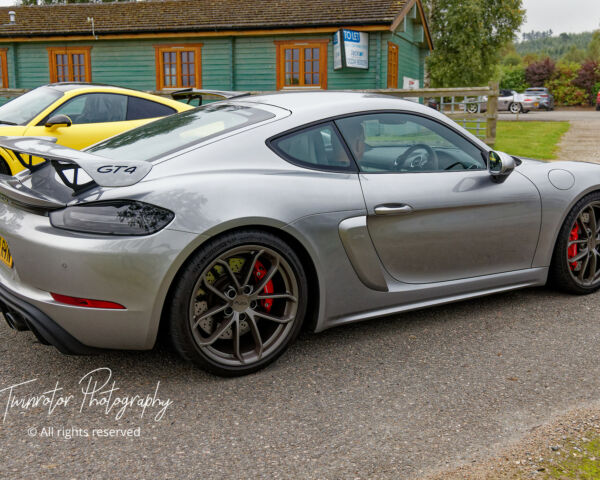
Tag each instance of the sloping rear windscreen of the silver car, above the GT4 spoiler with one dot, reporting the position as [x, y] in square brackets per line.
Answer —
[173, 133]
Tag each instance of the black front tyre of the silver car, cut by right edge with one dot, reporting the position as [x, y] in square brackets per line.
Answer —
[563, 274]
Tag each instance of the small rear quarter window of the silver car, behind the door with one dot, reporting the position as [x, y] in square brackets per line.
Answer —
[314, 147]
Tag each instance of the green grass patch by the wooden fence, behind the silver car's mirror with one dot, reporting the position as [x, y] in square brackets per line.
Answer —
[530, 139]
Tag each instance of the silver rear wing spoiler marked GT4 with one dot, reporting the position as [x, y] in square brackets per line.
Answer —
[67, 162]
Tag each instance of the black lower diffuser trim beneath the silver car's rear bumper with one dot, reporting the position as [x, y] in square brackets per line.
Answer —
[46, 329]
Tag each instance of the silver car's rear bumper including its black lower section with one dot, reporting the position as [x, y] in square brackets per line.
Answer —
[135, 272]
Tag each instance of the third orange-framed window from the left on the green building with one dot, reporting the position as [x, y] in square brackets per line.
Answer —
[178, 66]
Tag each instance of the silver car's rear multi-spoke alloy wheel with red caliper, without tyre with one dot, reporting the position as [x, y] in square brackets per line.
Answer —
[244, 305]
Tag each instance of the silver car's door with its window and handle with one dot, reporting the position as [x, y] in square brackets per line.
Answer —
[434, 213]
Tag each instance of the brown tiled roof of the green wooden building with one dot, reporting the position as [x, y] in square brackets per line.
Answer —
[162, 16]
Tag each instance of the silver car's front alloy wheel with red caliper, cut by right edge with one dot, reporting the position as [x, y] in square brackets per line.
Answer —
[585, 242]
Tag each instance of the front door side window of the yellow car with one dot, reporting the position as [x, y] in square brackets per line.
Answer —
[94, 108]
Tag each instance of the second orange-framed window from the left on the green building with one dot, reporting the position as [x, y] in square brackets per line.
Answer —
[70, 64]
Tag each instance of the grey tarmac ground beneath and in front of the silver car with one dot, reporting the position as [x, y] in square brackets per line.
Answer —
[391, 398]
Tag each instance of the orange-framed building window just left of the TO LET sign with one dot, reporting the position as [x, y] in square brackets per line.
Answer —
[301, 64]
